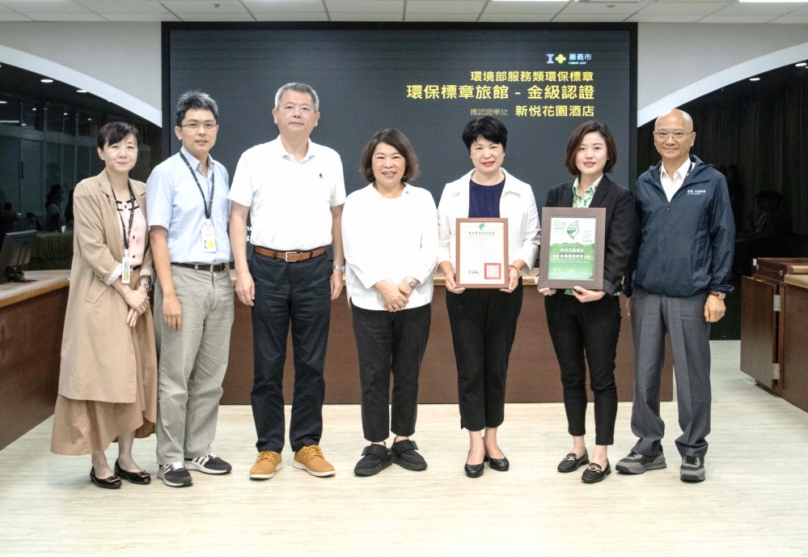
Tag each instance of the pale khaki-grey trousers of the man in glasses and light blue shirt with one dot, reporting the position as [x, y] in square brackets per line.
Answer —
[192, 363]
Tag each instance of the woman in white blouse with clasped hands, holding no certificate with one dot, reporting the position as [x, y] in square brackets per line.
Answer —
[390, 235]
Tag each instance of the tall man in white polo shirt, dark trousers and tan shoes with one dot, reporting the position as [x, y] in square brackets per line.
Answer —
[293, 190]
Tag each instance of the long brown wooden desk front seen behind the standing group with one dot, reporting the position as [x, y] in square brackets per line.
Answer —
[533, 374]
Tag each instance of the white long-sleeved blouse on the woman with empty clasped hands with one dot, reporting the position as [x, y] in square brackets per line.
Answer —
[389, 239]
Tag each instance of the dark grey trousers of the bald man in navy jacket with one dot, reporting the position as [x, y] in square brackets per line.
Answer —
[652, 316]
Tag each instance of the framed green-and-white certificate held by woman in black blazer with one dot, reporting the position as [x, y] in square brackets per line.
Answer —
[572, 247]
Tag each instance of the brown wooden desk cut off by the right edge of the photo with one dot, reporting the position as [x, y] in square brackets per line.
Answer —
[794, 377]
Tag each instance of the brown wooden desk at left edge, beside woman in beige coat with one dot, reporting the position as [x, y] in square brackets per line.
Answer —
[32, 317]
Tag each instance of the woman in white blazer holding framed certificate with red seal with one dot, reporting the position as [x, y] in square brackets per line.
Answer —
[488, 229]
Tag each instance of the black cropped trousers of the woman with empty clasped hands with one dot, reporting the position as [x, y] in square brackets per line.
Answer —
[390, 342]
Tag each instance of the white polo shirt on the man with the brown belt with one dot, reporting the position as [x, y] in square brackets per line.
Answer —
[290, 202]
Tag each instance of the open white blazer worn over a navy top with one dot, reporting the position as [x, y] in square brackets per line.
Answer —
[517, 204]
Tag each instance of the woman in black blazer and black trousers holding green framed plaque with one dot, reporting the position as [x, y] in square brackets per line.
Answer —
[586, 322]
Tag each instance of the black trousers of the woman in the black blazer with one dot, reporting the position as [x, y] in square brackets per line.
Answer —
[589, 329]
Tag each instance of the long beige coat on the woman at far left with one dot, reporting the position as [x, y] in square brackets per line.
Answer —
[98, 354]
